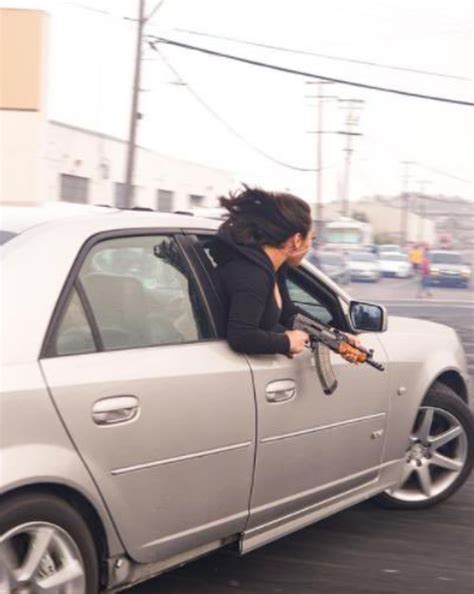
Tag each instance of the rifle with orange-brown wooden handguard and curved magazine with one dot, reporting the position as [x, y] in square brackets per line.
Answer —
[324, 339]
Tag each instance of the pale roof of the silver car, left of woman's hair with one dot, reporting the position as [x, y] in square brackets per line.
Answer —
[17, 219]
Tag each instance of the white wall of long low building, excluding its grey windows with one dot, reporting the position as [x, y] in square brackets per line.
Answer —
[101, 159]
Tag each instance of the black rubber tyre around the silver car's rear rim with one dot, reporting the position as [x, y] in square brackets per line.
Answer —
[25, 508]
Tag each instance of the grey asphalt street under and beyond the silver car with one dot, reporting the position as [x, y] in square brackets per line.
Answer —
[364, 549]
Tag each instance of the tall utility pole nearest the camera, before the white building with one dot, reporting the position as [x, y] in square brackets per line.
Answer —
[134, 115]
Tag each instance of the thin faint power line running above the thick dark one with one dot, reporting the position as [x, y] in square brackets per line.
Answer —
[320, 55]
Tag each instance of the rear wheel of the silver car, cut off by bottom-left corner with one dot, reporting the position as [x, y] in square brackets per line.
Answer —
[48, 524]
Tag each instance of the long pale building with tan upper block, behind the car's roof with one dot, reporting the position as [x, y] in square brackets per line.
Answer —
[43, 160]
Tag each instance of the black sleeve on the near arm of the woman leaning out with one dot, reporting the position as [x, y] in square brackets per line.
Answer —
[247, 287]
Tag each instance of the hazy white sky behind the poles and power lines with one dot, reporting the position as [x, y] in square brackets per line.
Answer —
[91, 62]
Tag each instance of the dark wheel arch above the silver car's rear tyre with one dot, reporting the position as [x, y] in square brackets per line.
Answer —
[82, 505]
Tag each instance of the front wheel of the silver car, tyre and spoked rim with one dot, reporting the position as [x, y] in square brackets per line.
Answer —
[458, 453]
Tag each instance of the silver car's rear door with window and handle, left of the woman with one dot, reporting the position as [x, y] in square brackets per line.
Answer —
[162, 413]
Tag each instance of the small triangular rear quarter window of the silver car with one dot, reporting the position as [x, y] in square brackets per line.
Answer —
[74, 335]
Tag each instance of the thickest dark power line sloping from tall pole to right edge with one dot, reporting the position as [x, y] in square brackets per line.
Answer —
[309, 74]
